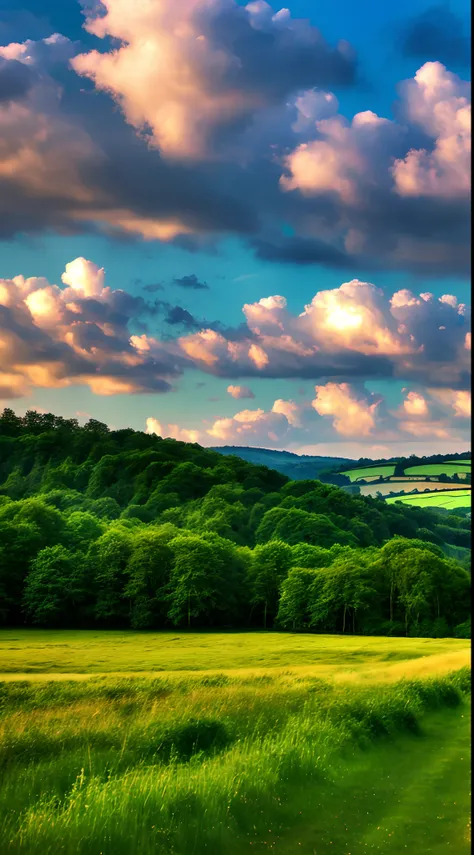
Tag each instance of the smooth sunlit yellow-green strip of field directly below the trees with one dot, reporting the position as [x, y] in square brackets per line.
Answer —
[62, 652]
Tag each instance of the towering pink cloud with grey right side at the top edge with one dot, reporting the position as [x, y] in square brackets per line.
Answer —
[186, 75]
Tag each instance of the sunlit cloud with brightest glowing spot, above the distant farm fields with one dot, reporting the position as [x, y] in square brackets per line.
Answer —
[355, 331]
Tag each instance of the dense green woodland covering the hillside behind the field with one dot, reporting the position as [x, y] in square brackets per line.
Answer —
[118, 528]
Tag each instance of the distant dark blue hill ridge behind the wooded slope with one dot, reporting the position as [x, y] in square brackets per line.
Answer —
[298, 467]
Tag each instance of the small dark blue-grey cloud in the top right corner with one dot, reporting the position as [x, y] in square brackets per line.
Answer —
[437, 34]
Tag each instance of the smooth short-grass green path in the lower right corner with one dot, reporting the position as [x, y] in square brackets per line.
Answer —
[412, 796]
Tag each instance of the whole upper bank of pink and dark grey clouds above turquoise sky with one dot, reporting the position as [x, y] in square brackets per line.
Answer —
[366, 193]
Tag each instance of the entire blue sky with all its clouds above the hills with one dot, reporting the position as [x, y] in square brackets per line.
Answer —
[239, 224]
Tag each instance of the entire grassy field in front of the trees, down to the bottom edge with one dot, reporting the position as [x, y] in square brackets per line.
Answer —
[259, 758]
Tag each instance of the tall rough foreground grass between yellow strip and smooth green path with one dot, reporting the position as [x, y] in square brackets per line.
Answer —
[209, 764]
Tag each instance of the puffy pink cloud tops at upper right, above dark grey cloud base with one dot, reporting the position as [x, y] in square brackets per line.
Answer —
[347, 157]
